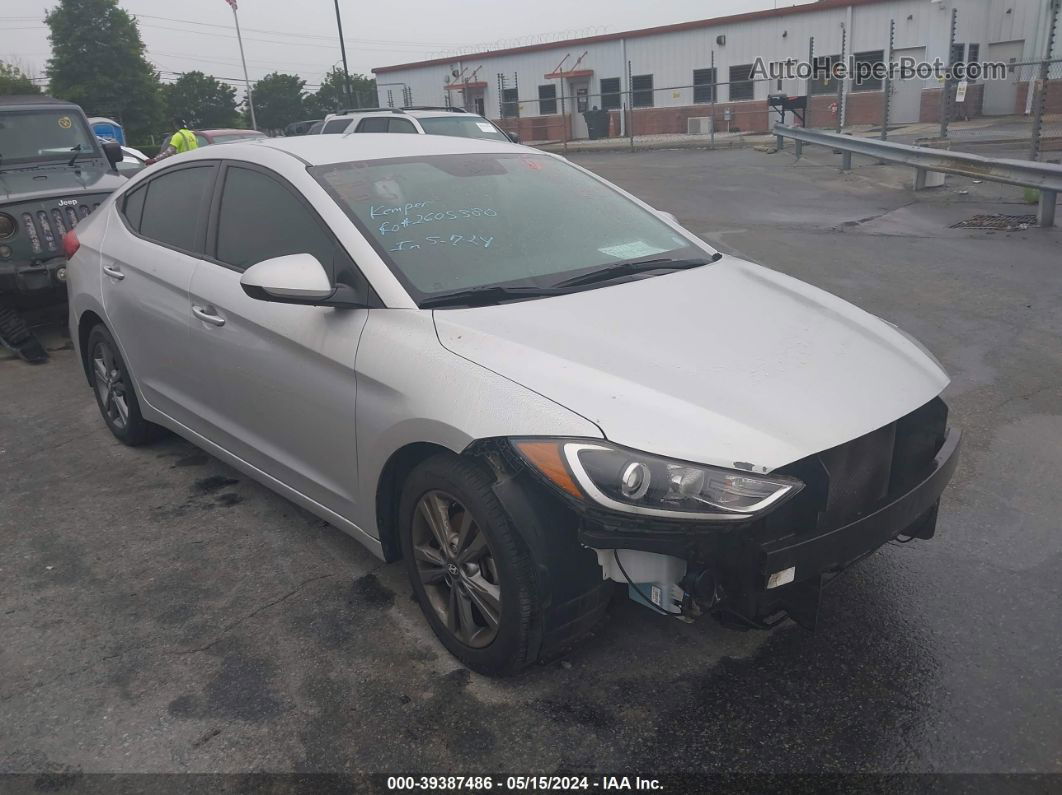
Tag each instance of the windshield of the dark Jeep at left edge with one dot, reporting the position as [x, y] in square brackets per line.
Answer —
[30, 136]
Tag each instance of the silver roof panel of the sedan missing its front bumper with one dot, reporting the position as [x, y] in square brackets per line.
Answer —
[322, 150]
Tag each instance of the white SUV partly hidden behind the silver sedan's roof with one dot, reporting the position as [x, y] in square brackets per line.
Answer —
[421, 120]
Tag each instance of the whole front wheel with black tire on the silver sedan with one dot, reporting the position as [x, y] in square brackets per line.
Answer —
[470, 569]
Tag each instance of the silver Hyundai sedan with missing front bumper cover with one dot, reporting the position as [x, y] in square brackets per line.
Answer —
[524, 382]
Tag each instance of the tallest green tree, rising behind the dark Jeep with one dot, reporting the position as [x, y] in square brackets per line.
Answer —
[99, 62]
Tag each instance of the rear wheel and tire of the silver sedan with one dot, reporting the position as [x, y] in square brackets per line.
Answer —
[115, 395]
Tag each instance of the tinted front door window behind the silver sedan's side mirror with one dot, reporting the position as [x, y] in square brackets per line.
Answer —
[262, 219]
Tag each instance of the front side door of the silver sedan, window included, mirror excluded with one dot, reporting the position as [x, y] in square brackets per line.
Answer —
[282, 387]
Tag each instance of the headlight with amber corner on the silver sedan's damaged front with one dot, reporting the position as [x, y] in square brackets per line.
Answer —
[635, 482]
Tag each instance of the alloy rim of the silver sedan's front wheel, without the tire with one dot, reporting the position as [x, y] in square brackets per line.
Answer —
[457, 568]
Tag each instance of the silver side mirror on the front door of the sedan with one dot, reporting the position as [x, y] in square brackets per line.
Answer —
[297, 279]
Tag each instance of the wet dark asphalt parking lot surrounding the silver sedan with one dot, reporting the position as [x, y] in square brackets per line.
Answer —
[161, 613]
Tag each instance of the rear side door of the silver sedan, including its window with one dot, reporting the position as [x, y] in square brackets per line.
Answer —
[151, 252]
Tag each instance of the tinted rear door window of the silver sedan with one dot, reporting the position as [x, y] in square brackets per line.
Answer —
[173, 209]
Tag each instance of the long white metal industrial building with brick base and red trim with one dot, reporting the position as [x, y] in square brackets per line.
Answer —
[682, 78]
